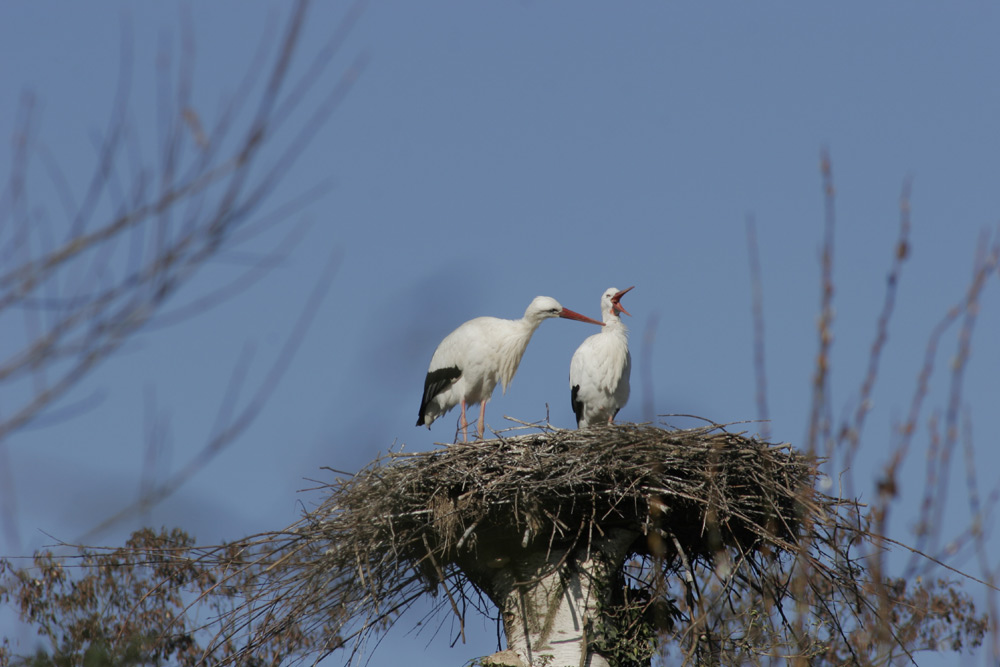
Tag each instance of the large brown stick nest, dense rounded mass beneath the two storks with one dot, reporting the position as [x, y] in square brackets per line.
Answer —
[707, 487]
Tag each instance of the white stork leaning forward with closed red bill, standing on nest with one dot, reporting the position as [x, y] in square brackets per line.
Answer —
[471, 360]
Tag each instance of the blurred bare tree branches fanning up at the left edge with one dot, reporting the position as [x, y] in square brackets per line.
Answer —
[86, 285]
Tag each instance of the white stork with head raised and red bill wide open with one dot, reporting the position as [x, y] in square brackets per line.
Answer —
[600, 369]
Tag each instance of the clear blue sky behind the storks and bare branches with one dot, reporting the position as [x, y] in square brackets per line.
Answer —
[489, 153]
